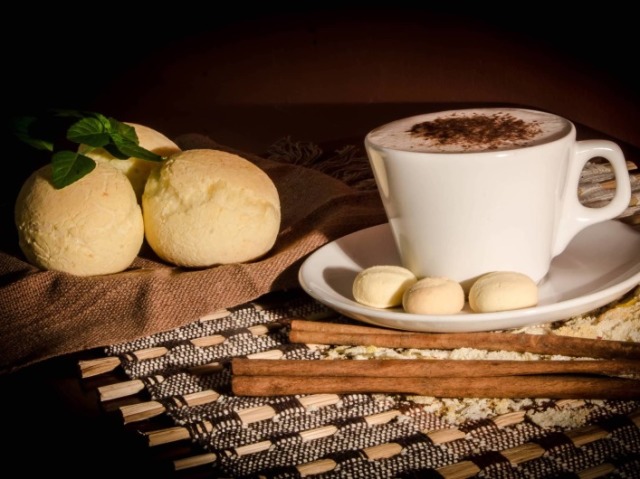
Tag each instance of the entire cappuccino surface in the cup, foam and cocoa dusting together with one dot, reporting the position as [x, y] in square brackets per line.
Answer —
[472, 130]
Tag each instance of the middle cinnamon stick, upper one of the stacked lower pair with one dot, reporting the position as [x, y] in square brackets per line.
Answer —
[432, 368]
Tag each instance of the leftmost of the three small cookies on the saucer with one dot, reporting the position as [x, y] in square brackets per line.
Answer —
[382, 286]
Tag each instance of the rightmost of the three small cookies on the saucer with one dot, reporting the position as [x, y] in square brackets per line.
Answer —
[502, 291]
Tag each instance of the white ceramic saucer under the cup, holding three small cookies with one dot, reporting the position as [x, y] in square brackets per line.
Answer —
[601, 264]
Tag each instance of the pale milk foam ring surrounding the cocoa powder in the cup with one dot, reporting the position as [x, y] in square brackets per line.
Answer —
[396, 135]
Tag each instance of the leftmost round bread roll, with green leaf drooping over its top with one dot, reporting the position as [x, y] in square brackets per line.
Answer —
[91, 227]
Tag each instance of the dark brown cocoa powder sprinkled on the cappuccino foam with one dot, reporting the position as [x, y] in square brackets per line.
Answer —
[477, 131]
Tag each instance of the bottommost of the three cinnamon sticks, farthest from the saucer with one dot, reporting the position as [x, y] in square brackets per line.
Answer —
[549, 386]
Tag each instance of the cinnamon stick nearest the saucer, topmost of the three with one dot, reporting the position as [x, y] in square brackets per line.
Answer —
[314, 332]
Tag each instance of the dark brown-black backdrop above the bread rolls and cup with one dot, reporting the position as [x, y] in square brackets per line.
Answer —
[179, 62]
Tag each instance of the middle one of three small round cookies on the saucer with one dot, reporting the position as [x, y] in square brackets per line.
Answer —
[434, 295]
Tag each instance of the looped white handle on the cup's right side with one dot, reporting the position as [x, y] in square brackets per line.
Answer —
[575, 216]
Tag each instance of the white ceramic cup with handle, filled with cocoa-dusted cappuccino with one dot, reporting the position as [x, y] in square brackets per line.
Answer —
[510, 203]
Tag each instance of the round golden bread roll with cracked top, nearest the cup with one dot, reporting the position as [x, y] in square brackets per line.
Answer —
[206, 207]
